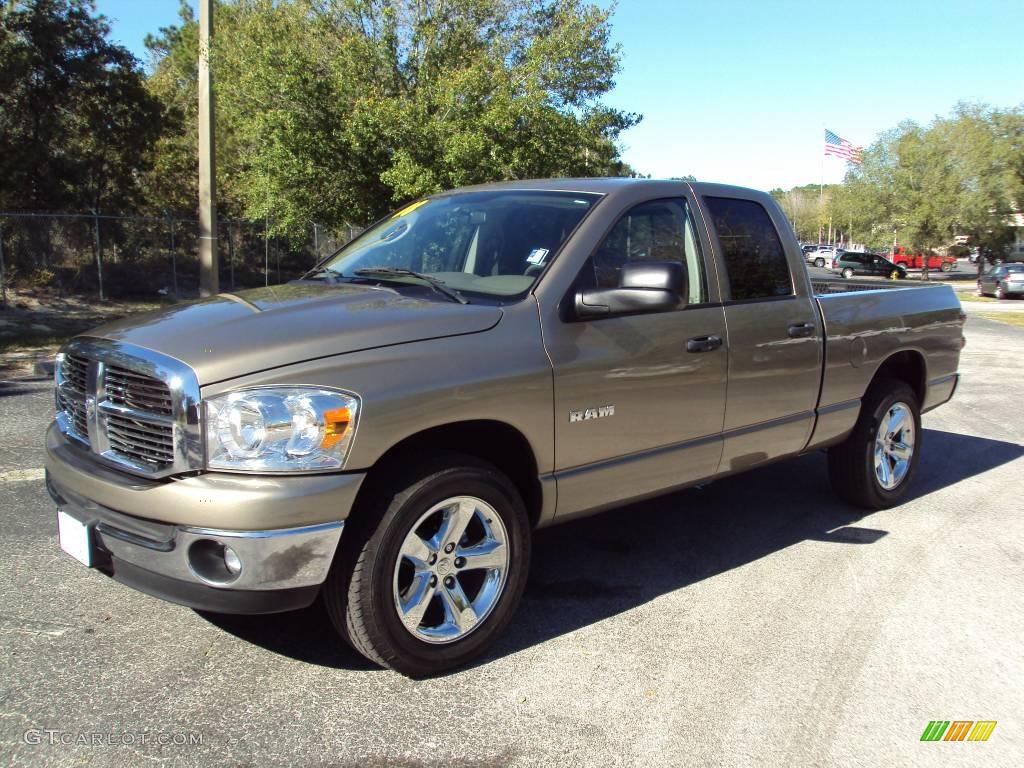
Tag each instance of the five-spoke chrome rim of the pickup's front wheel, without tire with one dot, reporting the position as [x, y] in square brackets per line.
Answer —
[452, 570]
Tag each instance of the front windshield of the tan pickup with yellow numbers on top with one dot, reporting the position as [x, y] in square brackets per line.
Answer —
[490, 243]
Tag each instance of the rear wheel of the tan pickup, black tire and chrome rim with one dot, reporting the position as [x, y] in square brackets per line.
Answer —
[873, 468]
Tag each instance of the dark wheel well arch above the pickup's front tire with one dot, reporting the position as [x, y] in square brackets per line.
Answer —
[494, 442]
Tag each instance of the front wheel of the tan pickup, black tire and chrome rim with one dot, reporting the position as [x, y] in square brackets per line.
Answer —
[435, 567]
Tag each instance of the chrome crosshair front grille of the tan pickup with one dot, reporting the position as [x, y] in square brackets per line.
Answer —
[131, 407]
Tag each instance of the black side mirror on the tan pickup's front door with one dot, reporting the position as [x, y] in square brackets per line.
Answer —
[645, 287]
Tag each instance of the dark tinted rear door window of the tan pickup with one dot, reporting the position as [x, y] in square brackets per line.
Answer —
[755, 260]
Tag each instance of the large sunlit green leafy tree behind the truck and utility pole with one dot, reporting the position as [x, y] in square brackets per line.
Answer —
[337, 111]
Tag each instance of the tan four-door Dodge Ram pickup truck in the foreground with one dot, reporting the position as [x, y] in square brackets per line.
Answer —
[386, 434]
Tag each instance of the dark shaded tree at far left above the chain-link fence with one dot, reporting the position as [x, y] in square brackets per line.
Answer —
[76, 121]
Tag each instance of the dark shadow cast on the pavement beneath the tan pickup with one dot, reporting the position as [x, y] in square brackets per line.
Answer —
[591, 570]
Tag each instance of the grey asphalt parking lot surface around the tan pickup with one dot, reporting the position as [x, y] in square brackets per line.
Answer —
[753, 622]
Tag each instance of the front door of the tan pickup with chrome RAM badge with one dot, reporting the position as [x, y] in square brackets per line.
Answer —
[639, 400]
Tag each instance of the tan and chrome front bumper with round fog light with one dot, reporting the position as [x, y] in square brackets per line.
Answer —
[180, 552]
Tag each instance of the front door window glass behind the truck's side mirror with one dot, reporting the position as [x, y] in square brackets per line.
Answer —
[658, 231]
